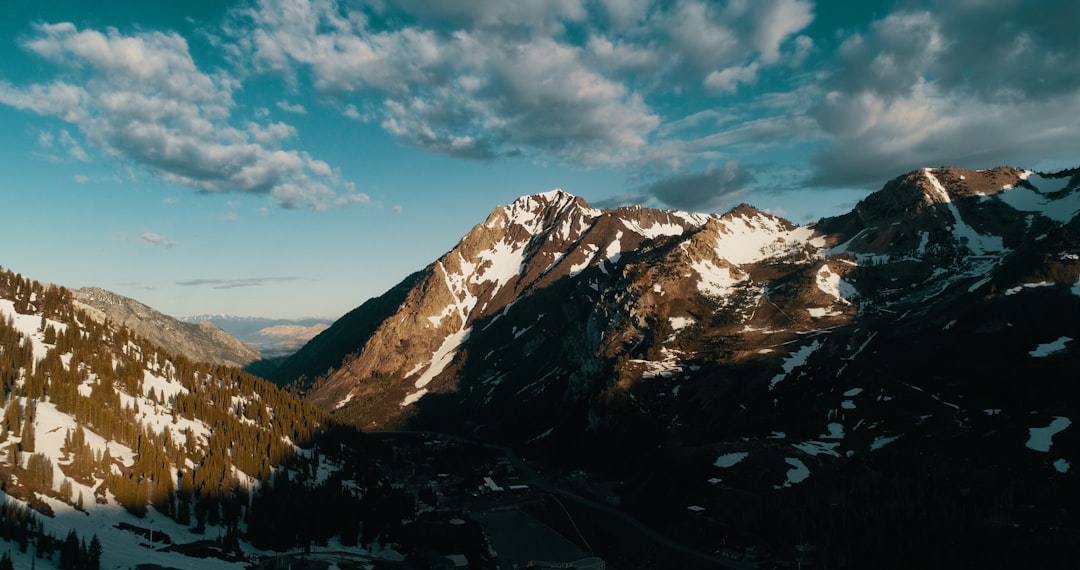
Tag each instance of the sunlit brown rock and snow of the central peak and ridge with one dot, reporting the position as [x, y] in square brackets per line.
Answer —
[544, 245]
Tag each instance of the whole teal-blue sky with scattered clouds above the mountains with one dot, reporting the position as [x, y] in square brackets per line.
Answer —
[295, 158]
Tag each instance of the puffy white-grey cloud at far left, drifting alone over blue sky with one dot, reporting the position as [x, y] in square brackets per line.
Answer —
[142, 98]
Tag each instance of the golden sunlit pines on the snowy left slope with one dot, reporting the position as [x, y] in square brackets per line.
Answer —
[97, 373]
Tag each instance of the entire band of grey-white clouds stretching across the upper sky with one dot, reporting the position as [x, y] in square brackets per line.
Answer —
[690, 94]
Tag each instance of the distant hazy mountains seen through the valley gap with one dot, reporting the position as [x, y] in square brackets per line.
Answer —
[272, 337]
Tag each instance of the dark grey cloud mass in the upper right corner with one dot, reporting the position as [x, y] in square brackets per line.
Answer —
[974, 85]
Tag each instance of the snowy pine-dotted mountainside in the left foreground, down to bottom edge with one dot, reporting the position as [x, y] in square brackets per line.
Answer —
[117, 453]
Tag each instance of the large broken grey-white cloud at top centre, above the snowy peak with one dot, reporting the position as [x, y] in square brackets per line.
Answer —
[482, 80]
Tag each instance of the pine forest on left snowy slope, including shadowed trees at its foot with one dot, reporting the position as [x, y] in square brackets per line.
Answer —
[97, 373]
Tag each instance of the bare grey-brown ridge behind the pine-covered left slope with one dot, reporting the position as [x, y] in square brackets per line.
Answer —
[201, 343]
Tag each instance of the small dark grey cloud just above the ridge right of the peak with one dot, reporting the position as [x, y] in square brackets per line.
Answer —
[710, 191]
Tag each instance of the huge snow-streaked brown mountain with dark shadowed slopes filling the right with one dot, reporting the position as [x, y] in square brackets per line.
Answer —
[912, 361]
